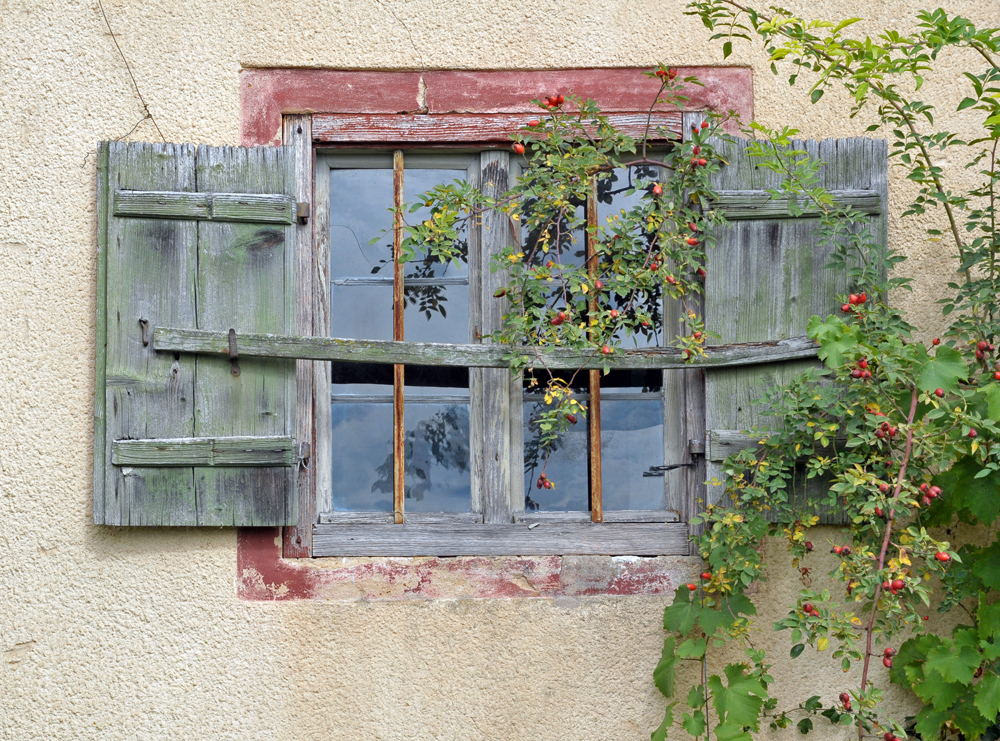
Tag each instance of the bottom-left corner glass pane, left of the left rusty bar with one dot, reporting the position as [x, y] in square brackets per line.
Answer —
[362, 456]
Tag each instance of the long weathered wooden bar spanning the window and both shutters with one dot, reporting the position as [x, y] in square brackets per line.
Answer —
[170, 339]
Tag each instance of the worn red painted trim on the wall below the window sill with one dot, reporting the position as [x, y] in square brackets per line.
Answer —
[264, 576]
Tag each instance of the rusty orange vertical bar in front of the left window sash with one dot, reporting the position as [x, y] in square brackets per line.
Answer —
[398, 307]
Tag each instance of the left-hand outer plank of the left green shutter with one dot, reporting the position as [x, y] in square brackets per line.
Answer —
[150, 275]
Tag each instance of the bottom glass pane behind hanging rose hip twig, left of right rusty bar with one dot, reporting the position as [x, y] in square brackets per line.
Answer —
[567, 469]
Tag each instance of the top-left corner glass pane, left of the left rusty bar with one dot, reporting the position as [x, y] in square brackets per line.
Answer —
[360, 210]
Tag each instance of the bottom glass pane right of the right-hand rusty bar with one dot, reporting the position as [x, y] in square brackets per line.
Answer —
[632, 440]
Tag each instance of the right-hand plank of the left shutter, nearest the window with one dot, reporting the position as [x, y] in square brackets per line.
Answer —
[246, 282]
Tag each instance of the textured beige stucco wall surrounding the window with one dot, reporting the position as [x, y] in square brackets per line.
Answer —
[111, 634]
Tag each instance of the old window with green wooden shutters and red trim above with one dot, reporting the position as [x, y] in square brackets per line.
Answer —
[224, 399]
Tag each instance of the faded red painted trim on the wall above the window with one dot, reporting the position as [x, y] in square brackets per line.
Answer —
[266, 94]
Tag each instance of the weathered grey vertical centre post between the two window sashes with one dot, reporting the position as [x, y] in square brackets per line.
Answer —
[495, 236]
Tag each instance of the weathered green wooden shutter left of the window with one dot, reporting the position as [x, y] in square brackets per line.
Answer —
[194, 238]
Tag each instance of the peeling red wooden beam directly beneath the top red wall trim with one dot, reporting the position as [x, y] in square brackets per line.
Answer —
[485, 128]
